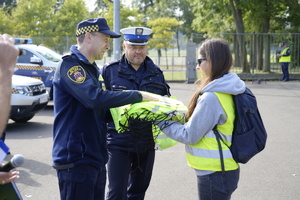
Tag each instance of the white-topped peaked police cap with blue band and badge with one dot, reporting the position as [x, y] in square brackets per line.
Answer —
[136, 35]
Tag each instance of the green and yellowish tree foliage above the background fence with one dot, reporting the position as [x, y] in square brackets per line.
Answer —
[54, 19]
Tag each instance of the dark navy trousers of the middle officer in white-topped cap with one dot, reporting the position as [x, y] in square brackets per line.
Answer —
[129, 174]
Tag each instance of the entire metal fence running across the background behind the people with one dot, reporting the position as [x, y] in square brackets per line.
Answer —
[173, 61]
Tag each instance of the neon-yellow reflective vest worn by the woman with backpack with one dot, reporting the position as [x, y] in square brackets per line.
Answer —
[205, 154]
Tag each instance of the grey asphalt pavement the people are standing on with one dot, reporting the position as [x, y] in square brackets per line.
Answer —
[273, 174]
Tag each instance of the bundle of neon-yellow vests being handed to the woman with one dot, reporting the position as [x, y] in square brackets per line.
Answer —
[164, 109]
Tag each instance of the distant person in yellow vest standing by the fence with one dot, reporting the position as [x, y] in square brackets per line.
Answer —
[285, 59]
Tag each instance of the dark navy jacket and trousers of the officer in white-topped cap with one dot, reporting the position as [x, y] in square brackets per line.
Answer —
[131, 161]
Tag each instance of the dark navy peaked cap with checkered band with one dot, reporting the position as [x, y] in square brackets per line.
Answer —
[95, 25]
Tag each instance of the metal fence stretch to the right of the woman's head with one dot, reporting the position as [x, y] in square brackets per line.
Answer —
[267, 45]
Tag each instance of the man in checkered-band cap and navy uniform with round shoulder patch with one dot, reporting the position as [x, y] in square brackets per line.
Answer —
[79, 132]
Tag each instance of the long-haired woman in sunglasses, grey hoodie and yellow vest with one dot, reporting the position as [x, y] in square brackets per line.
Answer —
[205, 111]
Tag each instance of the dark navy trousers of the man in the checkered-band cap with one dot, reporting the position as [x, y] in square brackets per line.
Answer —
[82, 182]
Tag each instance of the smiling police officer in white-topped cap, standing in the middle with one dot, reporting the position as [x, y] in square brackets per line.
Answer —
[131, 159]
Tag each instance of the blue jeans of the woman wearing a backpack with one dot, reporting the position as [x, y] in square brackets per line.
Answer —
[218, 186]
